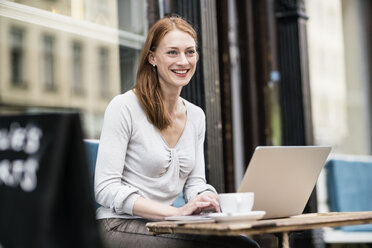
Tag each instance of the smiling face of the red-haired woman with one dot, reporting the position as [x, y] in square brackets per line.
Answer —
[175, 59]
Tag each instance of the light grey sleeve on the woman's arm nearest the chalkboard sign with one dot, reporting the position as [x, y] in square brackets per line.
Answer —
[110, 190]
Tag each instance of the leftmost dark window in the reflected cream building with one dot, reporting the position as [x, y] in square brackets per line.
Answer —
[17, 60]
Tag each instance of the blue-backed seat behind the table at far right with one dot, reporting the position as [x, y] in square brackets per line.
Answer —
[348, 188]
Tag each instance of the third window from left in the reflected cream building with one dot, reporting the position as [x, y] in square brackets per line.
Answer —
[77, 68]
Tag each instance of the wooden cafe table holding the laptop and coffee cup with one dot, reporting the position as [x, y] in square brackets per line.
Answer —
[283, 226]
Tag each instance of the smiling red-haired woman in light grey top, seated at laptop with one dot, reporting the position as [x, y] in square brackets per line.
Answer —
[151, 146]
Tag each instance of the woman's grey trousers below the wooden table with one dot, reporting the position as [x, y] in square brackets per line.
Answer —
[117, 233]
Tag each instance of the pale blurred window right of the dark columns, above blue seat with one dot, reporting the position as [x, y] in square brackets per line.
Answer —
[339, 81]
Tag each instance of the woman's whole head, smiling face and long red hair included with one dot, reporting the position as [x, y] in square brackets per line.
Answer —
[170, 48]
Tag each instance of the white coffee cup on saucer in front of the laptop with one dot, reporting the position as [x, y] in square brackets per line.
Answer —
[232, 203]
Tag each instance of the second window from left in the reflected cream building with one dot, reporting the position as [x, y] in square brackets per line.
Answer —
[48, 62]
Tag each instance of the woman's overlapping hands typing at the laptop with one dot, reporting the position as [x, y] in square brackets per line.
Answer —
[207, 201]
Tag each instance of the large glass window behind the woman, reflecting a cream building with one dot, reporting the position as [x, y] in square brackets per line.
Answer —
[78, 55]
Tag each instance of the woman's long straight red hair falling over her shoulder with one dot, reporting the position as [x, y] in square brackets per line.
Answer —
[147, 87]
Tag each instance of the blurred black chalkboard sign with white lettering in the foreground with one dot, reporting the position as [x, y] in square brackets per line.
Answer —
[46, 199]
